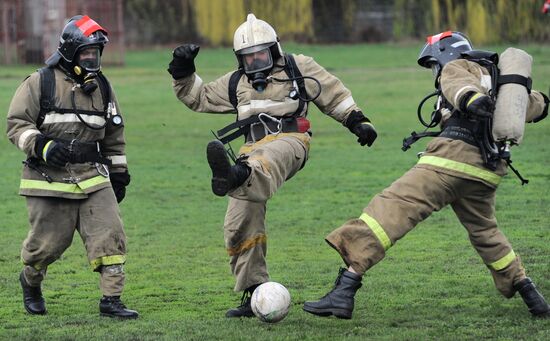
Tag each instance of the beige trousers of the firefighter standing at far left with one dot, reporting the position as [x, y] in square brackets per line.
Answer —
[97, 220]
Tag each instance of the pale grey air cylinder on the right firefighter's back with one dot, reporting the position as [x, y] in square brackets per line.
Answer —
[512, 98]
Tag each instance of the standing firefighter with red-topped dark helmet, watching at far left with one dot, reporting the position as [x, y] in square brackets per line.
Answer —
[66, 119]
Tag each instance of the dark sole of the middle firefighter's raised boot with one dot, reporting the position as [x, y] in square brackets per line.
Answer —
[220, 166]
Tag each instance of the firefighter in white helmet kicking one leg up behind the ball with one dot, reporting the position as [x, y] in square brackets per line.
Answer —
[270, 93]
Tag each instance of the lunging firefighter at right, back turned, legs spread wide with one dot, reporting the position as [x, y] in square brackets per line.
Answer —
[451, 171]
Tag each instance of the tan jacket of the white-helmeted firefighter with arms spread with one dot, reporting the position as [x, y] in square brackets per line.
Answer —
[335, 99]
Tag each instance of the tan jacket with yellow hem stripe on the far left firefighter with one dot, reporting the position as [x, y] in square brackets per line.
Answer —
[75, 181]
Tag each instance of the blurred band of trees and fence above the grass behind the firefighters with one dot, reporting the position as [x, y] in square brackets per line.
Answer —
[30, 28]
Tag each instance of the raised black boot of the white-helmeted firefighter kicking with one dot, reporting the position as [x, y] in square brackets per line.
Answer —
[225, 177]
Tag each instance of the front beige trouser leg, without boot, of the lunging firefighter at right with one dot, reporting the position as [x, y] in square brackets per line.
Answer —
[390, 215]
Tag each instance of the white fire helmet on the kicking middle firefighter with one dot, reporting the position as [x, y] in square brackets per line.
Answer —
[255, 36]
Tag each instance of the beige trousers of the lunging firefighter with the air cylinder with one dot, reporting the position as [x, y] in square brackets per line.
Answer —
[412, 198]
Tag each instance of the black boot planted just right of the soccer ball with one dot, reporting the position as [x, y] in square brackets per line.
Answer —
[339, 301]
